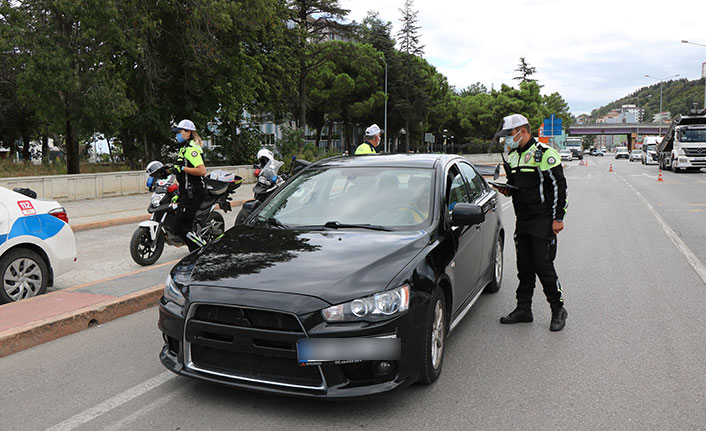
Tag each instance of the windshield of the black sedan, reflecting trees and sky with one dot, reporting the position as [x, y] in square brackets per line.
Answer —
[340, 197]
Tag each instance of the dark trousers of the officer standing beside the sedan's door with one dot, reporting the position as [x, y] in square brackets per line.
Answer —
[535, 258]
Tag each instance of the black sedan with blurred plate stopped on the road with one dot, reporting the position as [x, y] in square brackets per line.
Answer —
[344, 283]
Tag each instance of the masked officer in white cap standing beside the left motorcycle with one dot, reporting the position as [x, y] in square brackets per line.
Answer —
[190, 172]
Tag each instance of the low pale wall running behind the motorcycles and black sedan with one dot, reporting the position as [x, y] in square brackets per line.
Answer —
[108, 184]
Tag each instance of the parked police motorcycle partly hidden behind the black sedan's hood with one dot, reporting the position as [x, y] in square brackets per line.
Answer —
[268, 180]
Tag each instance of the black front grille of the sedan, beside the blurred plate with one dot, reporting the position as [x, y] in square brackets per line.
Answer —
[249, 344]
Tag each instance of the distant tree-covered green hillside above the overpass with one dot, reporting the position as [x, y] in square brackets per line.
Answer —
[677, 98]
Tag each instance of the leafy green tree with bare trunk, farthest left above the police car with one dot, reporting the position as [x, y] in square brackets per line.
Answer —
[69, 76]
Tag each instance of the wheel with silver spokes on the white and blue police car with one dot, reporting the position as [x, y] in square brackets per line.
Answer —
[24, 274]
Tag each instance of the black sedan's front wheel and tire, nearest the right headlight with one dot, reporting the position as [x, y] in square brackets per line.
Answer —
[435, 332]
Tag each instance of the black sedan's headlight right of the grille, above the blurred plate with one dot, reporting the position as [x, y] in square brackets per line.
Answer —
[377, 307]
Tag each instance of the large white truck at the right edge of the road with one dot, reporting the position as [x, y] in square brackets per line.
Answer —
[684, 144]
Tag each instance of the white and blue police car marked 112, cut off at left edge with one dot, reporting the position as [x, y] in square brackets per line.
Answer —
[36, 245]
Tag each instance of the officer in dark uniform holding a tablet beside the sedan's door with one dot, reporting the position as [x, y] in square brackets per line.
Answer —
[540, 202]
